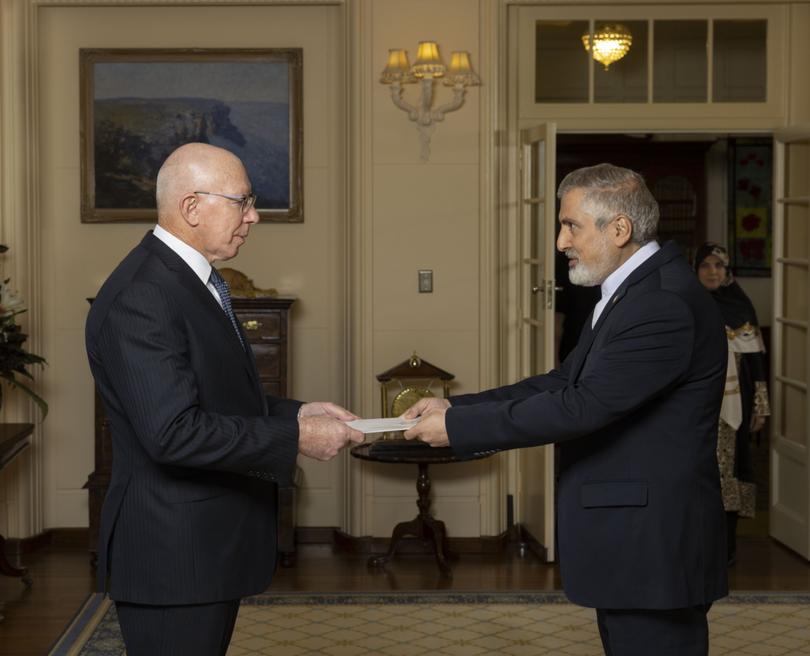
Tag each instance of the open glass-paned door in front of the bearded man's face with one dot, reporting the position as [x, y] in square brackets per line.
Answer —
[536, 238]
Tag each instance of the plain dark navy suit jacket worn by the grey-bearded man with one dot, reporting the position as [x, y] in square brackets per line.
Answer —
[640, 521]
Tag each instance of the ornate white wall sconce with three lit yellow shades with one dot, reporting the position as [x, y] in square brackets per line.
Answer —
[428, 65]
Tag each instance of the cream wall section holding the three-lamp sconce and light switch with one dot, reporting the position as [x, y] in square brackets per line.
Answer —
[425, 216]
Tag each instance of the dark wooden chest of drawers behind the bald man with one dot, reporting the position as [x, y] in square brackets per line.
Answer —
[267, 324]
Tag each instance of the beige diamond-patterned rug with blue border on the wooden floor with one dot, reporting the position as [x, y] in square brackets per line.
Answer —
[452, 624]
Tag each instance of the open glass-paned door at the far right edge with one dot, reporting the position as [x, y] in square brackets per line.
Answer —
[790, 426]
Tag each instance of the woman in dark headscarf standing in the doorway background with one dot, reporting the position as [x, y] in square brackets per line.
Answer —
[745, 403]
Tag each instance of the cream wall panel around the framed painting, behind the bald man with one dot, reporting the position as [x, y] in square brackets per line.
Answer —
[307, 260]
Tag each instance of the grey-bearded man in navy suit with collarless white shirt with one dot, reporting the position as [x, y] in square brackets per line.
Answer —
[640, 520]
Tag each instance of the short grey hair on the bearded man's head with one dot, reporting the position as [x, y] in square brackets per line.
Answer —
[611, 190]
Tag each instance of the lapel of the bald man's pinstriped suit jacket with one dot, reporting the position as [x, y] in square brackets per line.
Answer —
[209, 304]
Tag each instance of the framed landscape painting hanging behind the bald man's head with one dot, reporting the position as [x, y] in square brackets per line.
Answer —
[138, 105]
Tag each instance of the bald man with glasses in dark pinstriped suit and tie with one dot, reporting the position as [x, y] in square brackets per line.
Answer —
[188, 526]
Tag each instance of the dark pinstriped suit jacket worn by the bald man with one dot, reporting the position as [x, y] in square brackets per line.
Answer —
[190, 514]
